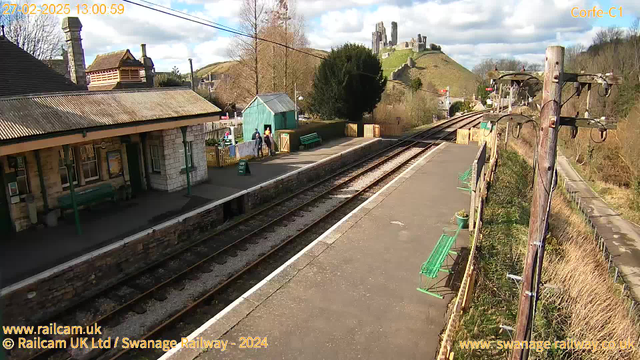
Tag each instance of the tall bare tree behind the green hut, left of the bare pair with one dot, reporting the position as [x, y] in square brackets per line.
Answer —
[246, 50]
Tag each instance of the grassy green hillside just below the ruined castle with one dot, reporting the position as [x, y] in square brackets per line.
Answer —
[436, 68]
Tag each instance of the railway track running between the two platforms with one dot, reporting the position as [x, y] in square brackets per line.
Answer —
[155, 299]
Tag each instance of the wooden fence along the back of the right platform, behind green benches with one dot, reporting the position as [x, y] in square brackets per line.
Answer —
[466, 286]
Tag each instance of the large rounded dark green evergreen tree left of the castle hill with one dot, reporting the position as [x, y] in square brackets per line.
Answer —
[347, 83]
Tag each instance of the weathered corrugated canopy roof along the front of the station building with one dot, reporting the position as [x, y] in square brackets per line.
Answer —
[41, 114]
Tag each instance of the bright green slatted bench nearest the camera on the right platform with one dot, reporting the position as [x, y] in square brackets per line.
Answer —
[435, 262]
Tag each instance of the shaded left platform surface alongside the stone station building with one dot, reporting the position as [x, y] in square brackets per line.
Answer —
[33, 251]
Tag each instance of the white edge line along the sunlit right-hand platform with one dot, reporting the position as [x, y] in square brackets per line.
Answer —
[256, 287]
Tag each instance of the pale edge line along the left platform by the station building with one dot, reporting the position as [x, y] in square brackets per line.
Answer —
[42, 275]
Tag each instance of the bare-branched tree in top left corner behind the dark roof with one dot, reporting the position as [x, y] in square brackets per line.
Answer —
[38, 34]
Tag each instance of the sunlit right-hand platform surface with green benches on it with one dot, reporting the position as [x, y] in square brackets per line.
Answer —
[352, 292]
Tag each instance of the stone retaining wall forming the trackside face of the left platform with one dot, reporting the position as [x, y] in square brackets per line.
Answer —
[41, 296]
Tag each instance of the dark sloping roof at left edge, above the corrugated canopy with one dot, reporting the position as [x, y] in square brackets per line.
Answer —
[21, 73]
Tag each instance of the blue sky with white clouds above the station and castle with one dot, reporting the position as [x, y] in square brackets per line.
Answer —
[468, 30]
